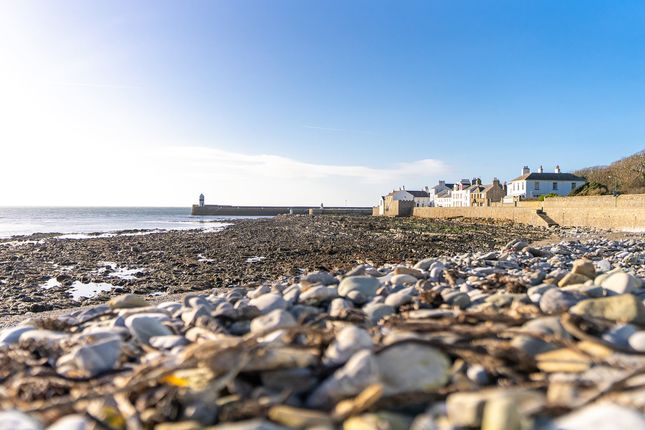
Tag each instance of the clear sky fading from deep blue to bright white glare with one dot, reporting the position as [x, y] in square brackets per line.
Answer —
[317, 95]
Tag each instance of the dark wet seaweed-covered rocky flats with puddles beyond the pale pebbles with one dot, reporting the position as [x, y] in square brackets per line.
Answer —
[43, 272]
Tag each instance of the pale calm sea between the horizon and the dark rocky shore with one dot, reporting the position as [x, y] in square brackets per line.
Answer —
[23, 221]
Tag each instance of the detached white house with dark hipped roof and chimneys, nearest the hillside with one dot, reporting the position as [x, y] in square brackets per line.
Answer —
[534, 184]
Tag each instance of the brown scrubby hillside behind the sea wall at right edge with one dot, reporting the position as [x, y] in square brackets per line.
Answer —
[626, 175]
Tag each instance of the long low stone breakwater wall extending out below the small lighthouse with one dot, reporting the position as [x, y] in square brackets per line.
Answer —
[225, 210]
